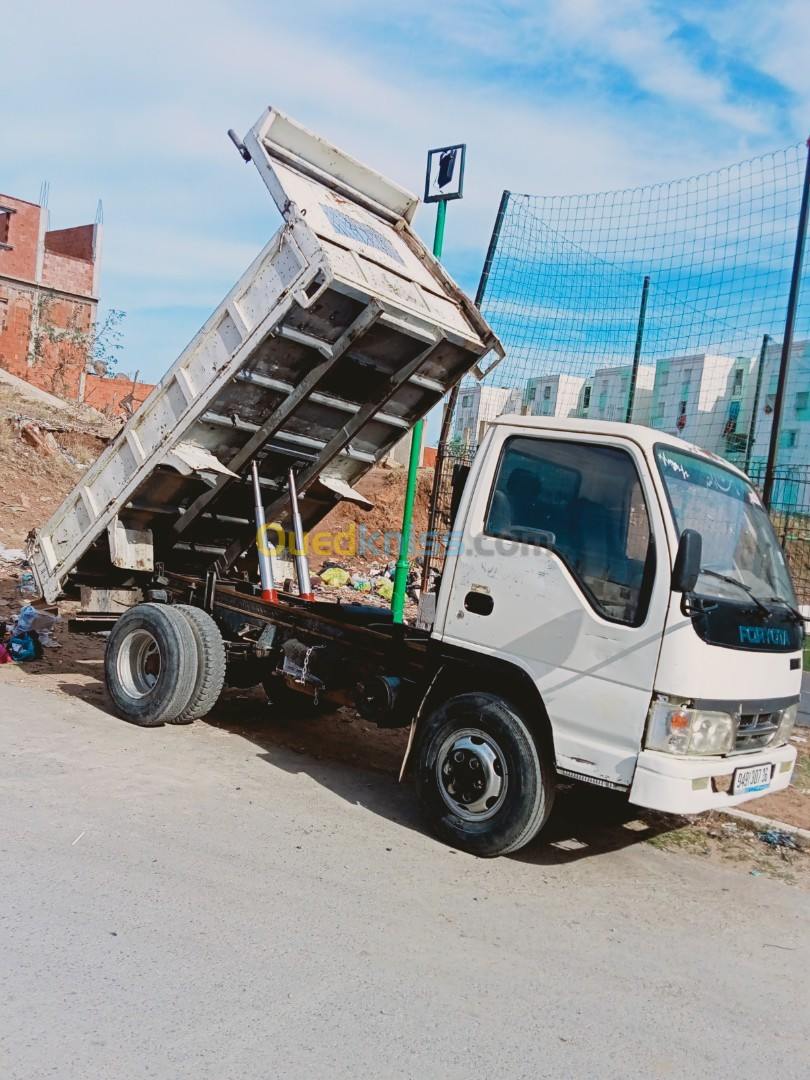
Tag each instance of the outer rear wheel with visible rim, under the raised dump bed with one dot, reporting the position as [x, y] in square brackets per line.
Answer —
[151, 665]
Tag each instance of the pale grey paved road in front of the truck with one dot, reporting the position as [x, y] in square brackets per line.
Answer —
[183, 903]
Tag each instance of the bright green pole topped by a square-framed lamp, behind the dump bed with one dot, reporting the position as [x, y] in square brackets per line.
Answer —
[444, 181]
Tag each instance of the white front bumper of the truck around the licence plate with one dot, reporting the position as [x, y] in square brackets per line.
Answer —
[685, 785]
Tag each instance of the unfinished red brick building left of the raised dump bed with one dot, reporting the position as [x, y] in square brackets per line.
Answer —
[49, 296]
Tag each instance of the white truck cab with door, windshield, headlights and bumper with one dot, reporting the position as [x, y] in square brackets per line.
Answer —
[637, 583]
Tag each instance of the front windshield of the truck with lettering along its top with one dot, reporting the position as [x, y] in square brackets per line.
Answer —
[739, 542]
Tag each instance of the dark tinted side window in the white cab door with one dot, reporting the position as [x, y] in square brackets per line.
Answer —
[586, 504]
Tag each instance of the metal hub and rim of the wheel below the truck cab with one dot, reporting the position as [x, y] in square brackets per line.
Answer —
[472, 775]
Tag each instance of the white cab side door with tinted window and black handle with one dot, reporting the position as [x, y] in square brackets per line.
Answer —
[557, 571]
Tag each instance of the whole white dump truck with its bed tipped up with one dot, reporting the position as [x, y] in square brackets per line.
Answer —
[614, 605]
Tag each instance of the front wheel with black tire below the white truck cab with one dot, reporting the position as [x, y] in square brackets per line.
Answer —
[485, 786]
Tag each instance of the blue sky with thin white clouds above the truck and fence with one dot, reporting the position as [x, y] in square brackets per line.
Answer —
[130, 103]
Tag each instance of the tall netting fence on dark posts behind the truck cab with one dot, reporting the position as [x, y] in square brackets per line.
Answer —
[665, 306]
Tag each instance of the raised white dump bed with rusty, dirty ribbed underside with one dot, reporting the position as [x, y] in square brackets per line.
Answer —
[342, 335]
